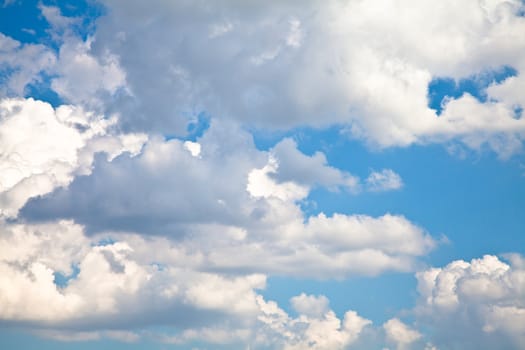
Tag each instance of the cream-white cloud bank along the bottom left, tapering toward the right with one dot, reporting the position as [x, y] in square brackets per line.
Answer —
[132, 292]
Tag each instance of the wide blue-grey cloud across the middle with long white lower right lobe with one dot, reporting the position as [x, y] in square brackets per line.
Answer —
[234, 208]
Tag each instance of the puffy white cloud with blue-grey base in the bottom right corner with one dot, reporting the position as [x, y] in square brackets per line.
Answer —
[475, 304]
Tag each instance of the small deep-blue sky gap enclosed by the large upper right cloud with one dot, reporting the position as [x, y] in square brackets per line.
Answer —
[442, 88]
